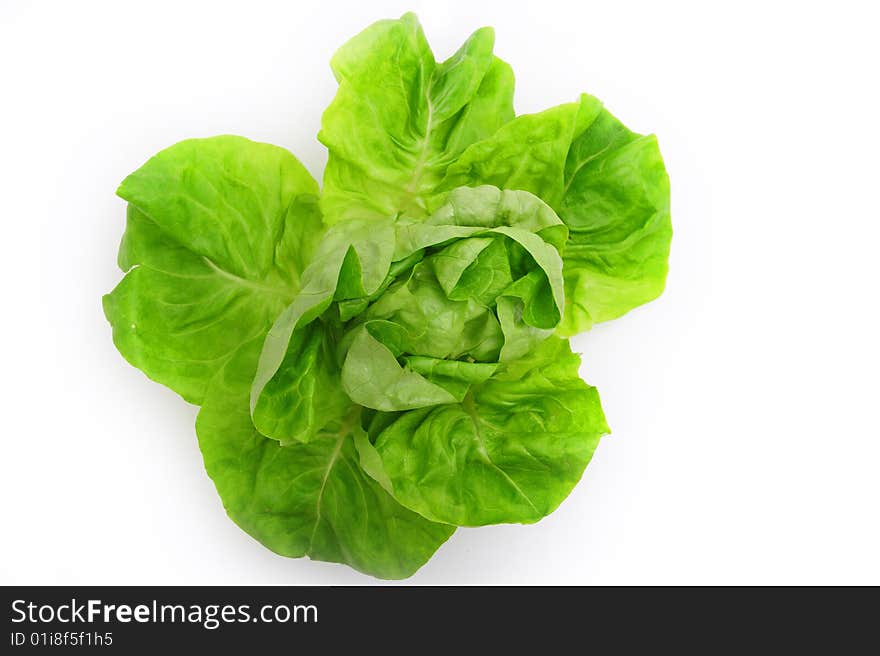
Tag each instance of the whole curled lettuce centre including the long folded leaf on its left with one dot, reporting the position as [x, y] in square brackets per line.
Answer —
[414, 295]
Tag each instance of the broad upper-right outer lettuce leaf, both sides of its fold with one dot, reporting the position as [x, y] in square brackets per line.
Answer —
[609, 186]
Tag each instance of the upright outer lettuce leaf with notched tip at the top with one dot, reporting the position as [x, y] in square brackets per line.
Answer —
[399, 118]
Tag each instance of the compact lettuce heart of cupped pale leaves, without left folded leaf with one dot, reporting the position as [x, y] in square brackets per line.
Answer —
[451, 308]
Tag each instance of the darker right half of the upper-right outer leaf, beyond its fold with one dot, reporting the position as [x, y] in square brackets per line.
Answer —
[616, 205]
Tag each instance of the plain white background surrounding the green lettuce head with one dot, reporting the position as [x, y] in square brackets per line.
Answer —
[744, 403]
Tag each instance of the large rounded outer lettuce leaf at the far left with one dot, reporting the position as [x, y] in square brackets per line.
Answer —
[218, 234]
